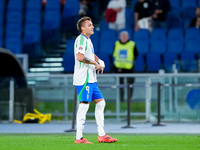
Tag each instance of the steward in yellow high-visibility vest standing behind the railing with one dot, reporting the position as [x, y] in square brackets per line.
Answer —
[125, 52]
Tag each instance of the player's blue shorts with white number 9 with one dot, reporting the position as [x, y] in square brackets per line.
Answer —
[89, 93]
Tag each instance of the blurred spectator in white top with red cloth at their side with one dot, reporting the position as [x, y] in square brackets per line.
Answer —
[120, 21]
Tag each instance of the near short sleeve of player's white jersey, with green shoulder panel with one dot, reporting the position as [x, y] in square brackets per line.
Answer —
[81, 45]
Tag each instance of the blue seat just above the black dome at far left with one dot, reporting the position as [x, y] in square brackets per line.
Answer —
[14, 45]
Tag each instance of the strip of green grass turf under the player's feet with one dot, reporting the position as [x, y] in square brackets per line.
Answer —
[125, 142]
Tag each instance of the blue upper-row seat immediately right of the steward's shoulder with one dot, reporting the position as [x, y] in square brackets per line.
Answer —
[142, 46]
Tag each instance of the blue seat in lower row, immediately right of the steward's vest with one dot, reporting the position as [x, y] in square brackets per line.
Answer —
[139, 65]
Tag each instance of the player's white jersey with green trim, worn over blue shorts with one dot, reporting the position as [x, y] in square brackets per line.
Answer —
[84, 72]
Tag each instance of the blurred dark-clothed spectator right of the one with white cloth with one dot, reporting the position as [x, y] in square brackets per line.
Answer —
[159, 10]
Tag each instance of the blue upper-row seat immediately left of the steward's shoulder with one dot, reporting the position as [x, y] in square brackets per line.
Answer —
[106, 46]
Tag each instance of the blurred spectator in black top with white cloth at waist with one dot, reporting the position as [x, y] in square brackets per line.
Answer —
[142, 15]
